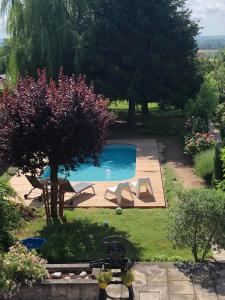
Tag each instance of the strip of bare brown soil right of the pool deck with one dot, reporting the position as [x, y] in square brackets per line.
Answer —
[172, 154]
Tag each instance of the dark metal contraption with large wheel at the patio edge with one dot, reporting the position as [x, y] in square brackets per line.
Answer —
[116, 252]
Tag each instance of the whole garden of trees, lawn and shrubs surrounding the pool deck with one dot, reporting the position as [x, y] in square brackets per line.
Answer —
[51, 116]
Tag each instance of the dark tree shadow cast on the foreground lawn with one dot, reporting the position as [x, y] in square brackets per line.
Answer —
[77, 241]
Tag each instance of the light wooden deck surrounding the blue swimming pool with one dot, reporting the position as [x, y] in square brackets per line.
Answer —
[147, 165]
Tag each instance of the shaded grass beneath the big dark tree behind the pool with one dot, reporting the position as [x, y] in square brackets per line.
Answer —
[157, 123]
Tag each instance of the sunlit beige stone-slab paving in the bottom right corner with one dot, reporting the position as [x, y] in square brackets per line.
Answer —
[167, 282]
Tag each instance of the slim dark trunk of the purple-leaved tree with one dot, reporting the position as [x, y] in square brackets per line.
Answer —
[54, 190]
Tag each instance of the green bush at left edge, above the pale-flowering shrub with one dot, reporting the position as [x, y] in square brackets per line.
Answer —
[9, 216]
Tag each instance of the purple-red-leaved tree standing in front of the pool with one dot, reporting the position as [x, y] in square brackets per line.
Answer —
[52, 124]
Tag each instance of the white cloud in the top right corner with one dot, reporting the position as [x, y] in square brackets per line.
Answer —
[202, 9]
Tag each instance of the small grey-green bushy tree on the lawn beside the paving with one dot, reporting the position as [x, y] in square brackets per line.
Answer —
[197, 221]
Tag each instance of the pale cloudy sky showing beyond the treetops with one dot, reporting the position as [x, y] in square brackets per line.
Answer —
[209, 13]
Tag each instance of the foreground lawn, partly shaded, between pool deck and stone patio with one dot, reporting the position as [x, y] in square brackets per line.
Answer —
[78, 239]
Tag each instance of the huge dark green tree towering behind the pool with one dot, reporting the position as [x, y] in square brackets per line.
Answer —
[142, 50]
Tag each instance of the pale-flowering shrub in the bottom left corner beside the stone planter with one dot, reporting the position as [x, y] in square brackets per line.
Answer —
[20, 266]
